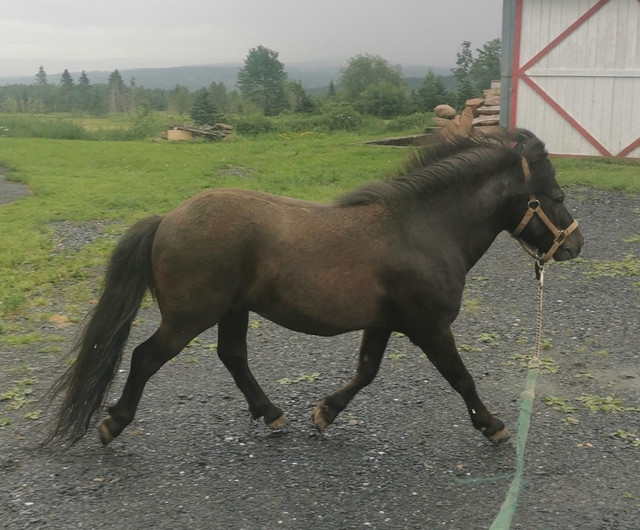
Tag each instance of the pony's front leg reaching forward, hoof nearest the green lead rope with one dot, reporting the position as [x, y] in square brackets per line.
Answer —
[439, 346]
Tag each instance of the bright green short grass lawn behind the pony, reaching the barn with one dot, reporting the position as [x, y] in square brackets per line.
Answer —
[73, 180]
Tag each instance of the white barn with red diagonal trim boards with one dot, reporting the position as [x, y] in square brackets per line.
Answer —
[571, 74]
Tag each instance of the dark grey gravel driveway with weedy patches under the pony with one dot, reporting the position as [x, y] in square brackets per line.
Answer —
[404, 454]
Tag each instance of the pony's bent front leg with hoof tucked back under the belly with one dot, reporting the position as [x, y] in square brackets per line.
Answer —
[372, 348]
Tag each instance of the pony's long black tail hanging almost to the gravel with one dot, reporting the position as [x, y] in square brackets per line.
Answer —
[99, 347]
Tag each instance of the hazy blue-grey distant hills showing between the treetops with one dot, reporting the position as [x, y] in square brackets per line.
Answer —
[312, 75]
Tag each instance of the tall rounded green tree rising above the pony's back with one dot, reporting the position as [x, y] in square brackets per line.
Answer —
[262, 80]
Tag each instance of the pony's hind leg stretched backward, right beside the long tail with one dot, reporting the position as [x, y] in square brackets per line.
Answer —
[147, 358]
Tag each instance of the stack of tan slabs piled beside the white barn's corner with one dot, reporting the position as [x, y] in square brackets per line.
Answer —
[481, 112]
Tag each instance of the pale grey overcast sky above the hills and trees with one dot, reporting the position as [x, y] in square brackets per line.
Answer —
[105, 35]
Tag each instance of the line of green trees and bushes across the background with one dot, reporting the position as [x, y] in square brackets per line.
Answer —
[368, 83]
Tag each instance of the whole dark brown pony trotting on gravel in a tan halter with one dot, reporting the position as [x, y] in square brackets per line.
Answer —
[389, 256]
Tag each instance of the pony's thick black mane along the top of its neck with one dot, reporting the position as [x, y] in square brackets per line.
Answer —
[452, 162]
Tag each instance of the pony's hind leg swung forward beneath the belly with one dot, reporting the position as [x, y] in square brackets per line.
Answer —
[232, 350]
